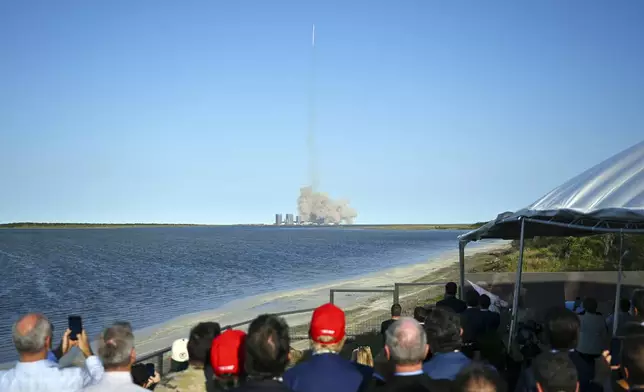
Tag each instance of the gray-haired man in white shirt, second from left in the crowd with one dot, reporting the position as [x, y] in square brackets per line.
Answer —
[116, 351]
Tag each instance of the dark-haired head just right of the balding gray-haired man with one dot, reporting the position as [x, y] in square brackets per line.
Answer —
[443, 328]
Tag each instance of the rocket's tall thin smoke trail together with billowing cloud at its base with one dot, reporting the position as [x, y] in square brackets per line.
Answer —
[314, 206]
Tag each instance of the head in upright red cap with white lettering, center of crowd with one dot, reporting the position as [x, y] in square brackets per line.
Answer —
[327, 330]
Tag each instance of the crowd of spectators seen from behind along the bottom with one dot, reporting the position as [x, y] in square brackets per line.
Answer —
[452, 345]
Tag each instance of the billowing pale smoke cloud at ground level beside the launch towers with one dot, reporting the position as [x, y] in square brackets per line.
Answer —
[317, 207]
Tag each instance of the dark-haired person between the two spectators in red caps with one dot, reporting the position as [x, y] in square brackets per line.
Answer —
[266, 355]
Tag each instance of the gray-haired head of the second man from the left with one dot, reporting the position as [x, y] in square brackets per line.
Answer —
[116, 346]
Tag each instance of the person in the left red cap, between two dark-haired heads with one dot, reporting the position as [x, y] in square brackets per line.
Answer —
[227, 359]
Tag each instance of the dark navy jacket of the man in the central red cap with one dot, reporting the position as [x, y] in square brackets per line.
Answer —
[328, 373]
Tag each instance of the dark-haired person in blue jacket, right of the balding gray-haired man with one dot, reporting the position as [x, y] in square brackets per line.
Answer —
[443, 329]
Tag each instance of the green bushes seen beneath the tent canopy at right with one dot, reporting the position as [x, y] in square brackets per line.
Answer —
[557, 254]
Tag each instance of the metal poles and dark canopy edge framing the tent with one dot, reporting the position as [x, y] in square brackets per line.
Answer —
[600, 227]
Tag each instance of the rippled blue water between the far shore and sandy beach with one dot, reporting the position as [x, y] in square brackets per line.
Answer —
[151, 275]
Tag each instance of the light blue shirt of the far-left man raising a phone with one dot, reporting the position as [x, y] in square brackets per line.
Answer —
[46, 376]
